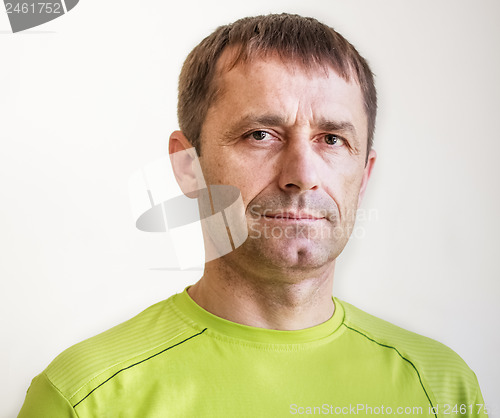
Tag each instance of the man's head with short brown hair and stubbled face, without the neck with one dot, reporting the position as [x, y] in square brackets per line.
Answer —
[281, 107]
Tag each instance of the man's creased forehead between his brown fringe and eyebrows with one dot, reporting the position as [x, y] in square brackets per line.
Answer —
[288, 89]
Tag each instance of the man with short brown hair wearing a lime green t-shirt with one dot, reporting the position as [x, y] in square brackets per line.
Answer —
[283, 108]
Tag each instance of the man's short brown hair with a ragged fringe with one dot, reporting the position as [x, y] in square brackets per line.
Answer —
[303, 40]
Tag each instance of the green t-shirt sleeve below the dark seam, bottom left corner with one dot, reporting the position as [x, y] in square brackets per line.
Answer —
[44, 400]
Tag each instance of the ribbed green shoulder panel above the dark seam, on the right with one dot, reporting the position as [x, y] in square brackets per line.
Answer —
[441, 370]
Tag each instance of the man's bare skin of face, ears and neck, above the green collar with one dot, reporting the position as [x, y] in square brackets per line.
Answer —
[294, 143]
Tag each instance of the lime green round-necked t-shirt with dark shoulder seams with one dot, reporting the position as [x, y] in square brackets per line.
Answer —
[177, 360]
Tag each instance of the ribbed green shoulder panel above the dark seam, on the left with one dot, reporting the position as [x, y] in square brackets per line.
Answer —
[89, 361]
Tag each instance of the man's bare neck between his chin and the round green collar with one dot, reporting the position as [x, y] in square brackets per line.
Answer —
[282, 301]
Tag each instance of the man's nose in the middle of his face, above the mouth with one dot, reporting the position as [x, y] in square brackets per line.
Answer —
[298, 167]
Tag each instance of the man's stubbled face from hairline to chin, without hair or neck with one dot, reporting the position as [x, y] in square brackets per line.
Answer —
[294, 143]
